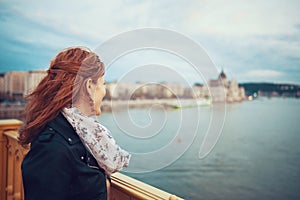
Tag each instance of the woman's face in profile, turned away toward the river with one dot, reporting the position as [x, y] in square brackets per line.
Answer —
[99, 92]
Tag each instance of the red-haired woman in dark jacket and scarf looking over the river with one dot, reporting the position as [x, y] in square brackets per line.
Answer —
[71, 154]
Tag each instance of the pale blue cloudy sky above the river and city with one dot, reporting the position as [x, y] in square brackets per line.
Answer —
[252, 41]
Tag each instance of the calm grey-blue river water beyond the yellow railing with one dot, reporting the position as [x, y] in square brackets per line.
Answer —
[257, 155]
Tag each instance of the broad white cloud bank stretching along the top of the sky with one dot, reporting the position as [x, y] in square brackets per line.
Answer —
[99, 20]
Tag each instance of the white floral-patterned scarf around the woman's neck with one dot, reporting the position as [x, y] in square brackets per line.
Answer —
[98, 140]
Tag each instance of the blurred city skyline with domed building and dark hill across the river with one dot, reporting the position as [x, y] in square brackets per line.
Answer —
[17, 84]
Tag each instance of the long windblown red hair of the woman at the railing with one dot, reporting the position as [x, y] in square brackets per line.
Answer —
[64, 83]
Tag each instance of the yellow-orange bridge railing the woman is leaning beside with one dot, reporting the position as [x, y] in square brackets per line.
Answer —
[11, 155]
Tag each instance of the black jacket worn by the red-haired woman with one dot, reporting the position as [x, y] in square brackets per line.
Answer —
[58, 167]
